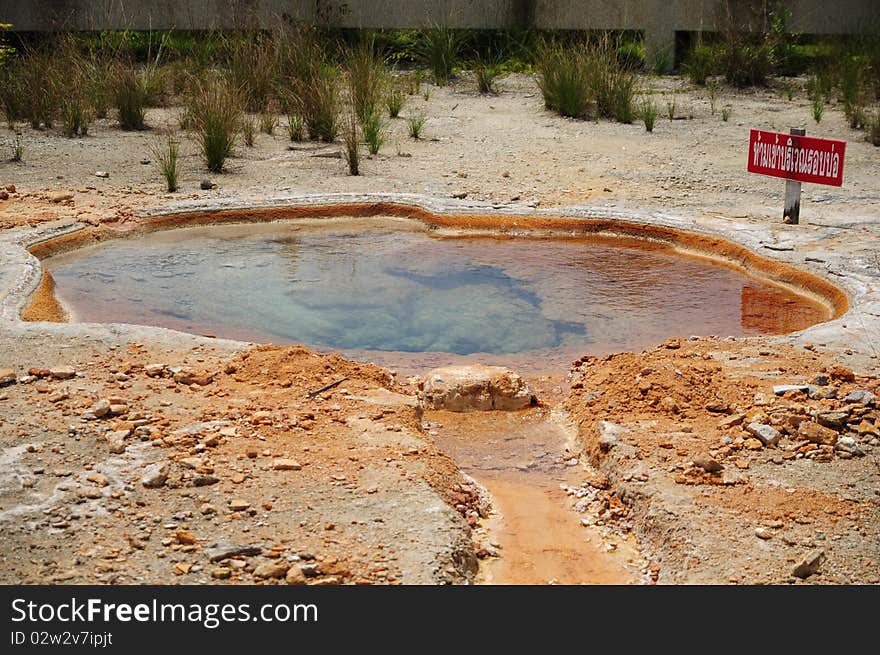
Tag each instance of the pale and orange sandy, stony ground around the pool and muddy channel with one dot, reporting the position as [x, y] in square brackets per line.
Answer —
[366, 458]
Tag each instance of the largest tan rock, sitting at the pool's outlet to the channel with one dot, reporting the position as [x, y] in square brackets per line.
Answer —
[475, 388]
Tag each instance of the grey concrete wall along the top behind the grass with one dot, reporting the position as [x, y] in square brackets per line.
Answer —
[658, 19]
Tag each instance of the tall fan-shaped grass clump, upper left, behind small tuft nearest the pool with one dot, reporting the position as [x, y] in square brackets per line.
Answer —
[215, 113]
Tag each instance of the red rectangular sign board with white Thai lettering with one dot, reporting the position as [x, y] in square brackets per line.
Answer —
[793, 157]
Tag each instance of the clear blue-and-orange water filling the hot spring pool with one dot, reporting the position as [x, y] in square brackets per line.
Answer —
[389, 285]
